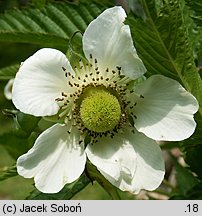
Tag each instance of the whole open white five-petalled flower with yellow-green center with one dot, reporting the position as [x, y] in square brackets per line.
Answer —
[94, 100]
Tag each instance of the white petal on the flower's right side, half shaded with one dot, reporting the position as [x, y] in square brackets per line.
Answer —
[166, 111]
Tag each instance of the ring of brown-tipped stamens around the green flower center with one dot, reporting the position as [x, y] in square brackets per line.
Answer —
[89, 76]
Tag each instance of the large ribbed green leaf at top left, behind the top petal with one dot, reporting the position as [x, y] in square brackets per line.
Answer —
[52, 26]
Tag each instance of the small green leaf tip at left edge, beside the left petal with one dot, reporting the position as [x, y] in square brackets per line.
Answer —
[9, 72]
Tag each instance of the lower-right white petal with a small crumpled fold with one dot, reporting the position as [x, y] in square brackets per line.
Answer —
[129, 161]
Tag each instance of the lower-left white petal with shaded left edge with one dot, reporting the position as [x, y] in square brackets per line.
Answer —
[55, 159]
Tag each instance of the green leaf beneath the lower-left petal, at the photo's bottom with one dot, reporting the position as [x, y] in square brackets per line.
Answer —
[66, 193]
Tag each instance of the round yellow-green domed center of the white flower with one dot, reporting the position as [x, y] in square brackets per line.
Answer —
[100, 110]
